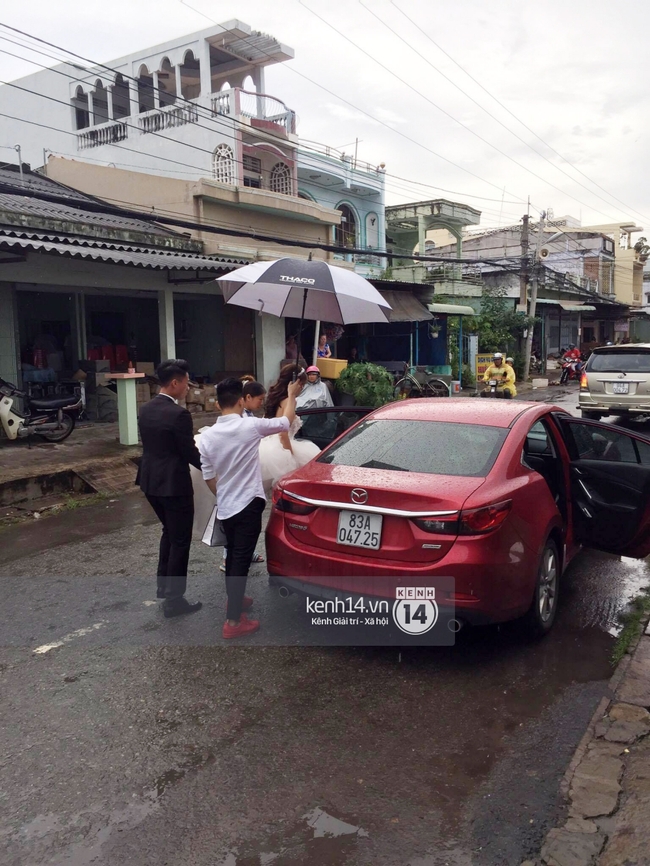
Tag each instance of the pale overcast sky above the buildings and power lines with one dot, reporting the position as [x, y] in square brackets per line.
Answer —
[452, 100]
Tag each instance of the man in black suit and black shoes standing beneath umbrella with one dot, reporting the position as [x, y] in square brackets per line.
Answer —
[168, 449]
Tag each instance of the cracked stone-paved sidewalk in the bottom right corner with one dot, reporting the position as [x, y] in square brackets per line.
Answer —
[607, 784]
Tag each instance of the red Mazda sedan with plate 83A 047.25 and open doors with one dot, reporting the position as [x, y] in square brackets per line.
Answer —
[498, 495]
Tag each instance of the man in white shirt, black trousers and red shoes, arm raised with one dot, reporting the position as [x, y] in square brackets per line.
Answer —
[231, 468]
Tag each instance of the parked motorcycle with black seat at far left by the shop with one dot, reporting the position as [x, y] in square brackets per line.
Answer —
[52, 418]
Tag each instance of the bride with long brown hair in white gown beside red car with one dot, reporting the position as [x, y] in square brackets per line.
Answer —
[283, 453]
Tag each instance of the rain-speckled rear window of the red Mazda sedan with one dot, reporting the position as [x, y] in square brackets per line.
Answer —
[433, 447]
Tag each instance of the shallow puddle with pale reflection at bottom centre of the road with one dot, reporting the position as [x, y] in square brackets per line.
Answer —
[318, 839]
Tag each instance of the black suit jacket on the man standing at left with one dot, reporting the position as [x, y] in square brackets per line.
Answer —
[168, 449]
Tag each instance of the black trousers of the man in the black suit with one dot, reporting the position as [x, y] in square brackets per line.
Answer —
[176, 513]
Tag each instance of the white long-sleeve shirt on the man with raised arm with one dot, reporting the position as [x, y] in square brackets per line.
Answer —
[230, 453]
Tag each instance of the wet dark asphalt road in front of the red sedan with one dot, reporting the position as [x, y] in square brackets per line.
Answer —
[137, 740]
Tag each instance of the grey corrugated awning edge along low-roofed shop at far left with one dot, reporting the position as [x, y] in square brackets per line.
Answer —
[135, 257]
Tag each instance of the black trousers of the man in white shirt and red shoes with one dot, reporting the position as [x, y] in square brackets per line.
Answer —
[242, 531]
